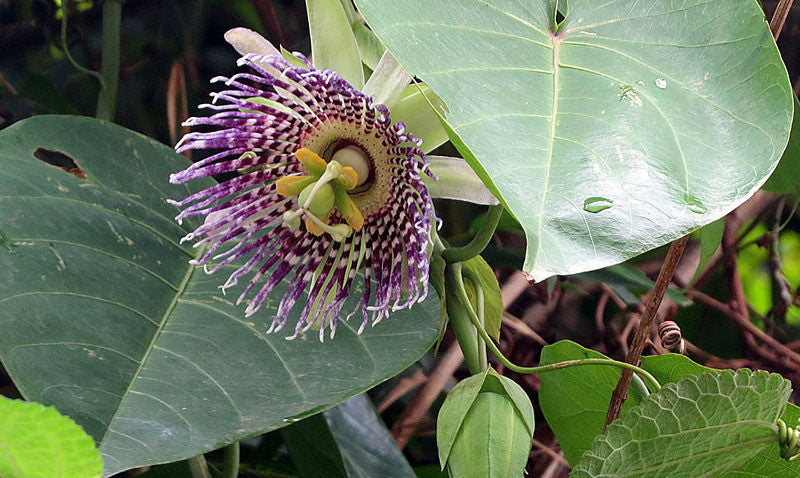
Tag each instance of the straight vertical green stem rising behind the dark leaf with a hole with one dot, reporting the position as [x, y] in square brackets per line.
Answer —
[112, 18]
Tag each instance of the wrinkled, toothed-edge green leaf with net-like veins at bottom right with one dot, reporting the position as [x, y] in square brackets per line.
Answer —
[700, 426]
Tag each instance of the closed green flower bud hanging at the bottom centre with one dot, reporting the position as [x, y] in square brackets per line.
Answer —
[484, 428]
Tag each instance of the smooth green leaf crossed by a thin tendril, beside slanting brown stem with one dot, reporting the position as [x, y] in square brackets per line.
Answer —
[575, 400]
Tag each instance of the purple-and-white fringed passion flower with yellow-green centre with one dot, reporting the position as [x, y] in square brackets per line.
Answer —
[324, 185]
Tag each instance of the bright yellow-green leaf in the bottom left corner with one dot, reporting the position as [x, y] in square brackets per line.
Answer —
[38, 442]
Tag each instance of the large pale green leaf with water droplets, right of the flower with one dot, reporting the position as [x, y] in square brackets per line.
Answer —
[631, 125]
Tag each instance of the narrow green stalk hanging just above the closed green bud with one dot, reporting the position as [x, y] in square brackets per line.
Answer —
[459, 318]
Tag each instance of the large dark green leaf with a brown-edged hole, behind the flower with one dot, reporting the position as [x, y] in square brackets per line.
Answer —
[103, 317]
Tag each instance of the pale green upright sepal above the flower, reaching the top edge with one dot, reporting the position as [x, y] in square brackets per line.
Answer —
[333, 45]
